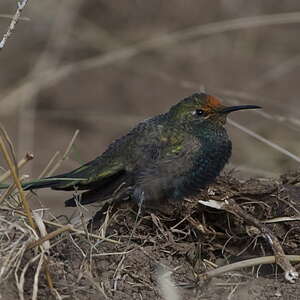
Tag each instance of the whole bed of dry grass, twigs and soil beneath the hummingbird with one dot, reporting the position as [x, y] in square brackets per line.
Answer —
[171, 251]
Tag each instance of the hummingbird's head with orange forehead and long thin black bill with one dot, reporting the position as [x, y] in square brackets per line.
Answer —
[202, 107]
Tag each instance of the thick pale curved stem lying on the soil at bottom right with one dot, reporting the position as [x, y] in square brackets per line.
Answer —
[245, 264]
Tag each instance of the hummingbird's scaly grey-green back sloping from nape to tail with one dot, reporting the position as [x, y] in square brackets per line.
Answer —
[121, 157]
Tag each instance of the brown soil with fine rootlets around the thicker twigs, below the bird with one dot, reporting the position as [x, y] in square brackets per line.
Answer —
[185, 242]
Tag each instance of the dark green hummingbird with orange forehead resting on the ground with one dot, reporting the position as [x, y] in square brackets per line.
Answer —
[170, 156]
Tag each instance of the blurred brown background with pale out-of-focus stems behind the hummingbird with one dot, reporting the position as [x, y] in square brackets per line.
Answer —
[102, 66]
